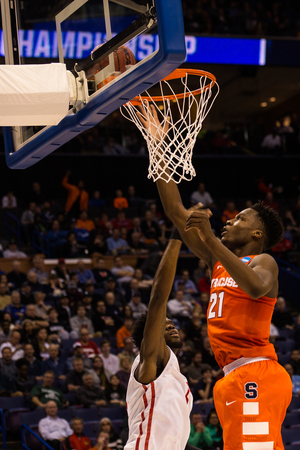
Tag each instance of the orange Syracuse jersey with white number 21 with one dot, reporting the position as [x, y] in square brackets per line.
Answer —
[238, 326]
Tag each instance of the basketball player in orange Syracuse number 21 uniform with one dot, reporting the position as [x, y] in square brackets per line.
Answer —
[252, 398]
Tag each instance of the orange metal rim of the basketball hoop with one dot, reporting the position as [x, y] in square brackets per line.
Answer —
[179, 73]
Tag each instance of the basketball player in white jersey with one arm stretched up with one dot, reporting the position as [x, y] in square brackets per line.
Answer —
[158, 398]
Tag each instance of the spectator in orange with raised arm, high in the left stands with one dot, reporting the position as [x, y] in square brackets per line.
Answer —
[77, 199]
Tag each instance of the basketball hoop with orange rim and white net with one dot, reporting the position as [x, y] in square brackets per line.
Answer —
[184, 99]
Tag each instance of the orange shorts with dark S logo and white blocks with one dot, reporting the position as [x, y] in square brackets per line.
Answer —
[251, 402]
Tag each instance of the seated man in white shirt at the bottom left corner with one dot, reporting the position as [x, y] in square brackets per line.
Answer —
[54, 430]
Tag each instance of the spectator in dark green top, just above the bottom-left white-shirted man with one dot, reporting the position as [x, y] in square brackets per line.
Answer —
[41, 394]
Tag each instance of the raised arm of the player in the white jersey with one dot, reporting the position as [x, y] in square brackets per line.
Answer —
[153, 349]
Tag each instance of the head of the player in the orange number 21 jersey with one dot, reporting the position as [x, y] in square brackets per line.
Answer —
[259, 224]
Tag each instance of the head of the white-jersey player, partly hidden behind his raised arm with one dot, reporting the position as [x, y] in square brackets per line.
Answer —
[171, 334]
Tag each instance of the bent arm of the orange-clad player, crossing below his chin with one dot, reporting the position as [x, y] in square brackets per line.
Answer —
[257, 279]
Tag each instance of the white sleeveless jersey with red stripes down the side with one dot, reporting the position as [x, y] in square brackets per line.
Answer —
[158, 413]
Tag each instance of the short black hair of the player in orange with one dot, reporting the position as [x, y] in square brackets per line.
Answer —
[272, 224]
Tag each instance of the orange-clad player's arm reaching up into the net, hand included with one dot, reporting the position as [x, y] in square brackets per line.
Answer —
[172, 203]
